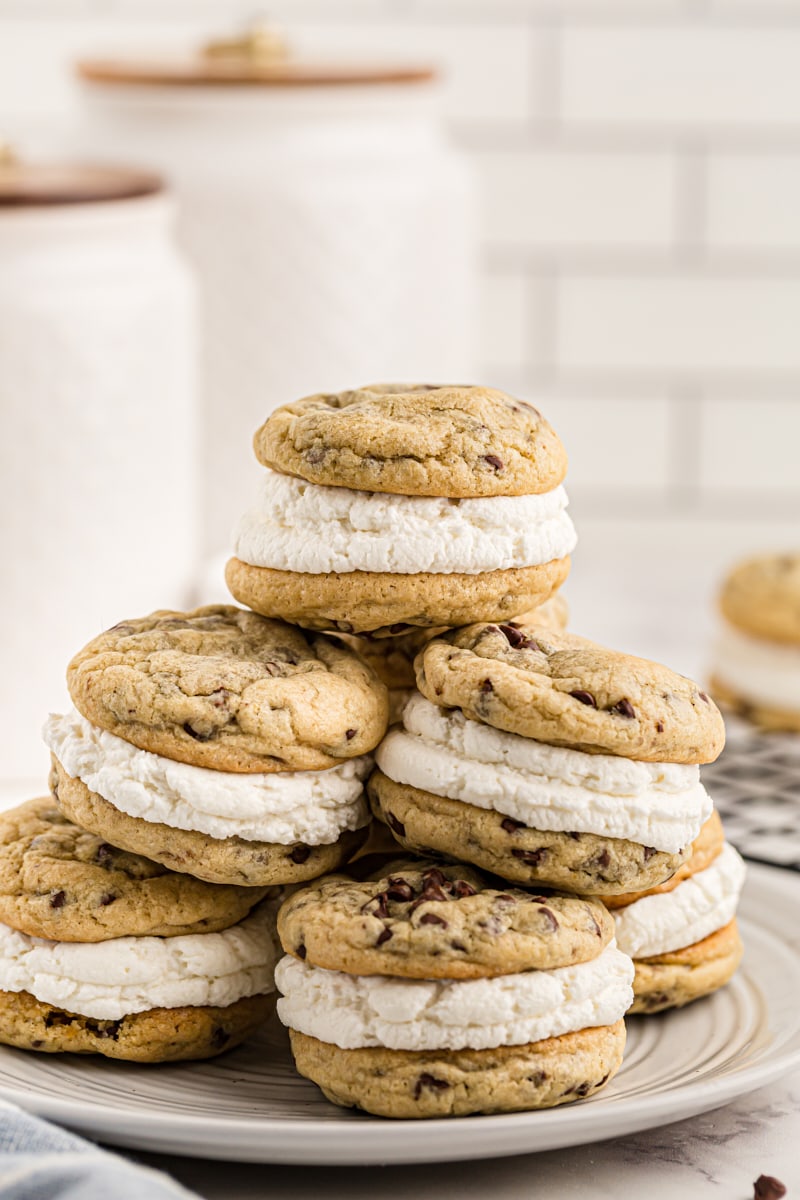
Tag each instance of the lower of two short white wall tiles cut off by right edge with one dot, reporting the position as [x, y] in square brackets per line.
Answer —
[753, 446]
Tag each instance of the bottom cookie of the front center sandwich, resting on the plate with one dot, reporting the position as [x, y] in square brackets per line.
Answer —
[456, 1083]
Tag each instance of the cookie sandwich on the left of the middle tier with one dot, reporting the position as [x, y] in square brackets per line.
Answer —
[220, 745]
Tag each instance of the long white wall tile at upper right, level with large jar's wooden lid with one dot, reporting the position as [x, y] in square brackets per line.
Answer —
[696, 77]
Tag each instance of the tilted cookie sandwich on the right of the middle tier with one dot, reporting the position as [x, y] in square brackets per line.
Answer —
[549, 760]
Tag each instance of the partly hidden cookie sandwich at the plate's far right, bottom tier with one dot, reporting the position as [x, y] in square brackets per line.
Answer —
[683, 935]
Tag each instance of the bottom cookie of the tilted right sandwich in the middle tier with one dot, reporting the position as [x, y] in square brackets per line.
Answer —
[578, 862]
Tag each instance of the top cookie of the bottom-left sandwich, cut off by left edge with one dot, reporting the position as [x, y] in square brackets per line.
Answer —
[59, 883]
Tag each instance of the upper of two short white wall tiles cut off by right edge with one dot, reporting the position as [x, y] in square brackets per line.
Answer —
[754, 202]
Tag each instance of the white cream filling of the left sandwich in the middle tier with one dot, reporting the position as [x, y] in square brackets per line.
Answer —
[314, 807]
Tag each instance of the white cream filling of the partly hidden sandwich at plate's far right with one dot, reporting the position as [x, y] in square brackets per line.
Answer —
[694, 910]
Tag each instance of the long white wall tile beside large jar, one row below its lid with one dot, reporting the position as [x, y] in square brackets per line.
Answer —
[557, 201]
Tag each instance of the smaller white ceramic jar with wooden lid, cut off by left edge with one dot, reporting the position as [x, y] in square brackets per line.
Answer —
[98, 395]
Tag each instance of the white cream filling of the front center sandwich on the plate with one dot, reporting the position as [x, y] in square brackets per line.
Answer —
[444, 1015]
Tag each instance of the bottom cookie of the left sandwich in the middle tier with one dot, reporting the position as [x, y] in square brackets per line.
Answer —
[232, 861]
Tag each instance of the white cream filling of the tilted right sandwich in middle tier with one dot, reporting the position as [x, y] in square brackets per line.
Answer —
[546, 788]
